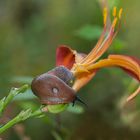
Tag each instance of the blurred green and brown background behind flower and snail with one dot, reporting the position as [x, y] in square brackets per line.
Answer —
[31, 30]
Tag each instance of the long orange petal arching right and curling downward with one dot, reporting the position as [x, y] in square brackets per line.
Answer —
[127, 63]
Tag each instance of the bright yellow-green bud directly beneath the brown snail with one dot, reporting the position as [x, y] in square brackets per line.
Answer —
[57, 108]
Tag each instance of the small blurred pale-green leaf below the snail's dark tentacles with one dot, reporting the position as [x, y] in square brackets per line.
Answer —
[75, 109]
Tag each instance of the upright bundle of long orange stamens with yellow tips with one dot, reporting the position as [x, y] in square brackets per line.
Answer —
[104, 42]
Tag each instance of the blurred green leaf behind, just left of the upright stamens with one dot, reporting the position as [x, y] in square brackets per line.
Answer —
[89, 32]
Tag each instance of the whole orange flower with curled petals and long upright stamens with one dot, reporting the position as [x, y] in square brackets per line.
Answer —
[84, 67]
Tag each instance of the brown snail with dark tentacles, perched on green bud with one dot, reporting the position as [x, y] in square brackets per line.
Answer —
[54, 87]
